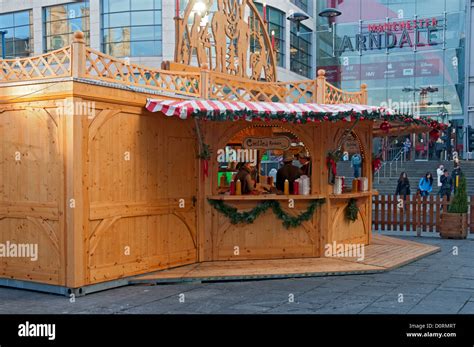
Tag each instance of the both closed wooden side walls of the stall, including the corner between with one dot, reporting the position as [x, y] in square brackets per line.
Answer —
[95, 215]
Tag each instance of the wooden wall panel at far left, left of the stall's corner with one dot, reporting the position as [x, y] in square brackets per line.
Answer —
[32, 191]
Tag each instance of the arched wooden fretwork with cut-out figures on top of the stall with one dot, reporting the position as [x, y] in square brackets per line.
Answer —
[221, 36]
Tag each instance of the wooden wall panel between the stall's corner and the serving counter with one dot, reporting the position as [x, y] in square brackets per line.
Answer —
[140, 166]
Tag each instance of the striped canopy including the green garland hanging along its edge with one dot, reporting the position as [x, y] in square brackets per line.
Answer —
[297, 113]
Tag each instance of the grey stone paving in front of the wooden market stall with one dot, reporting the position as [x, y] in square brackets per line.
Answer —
[438, 284]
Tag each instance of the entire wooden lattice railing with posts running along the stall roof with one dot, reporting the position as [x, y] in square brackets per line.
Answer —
[80, 61]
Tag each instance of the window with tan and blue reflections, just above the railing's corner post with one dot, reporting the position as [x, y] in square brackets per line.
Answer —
[62, 21]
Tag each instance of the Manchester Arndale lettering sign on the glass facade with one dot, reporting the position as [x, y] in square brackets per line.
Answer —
[400, 34]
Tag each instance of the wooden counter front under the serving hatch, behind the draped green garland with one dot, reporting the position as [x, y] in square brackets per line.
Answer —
[266, 237]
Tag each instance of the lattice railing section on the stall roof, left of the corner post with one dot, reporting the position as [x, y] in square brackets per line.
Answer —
[50, 65]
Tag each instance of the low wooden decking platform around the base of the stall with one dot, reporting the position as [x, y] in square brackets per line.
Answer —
[385, 253]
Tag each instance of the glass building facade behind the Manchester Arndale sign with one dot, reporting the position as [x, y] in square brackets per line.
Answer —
[410, 53]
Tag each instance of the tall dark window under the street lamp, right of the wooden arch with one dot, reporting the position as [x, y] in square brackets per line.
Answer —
[300, 50]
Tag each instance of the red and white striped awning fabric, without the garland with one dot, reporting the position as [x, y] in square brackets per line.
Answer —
[187, 108]
